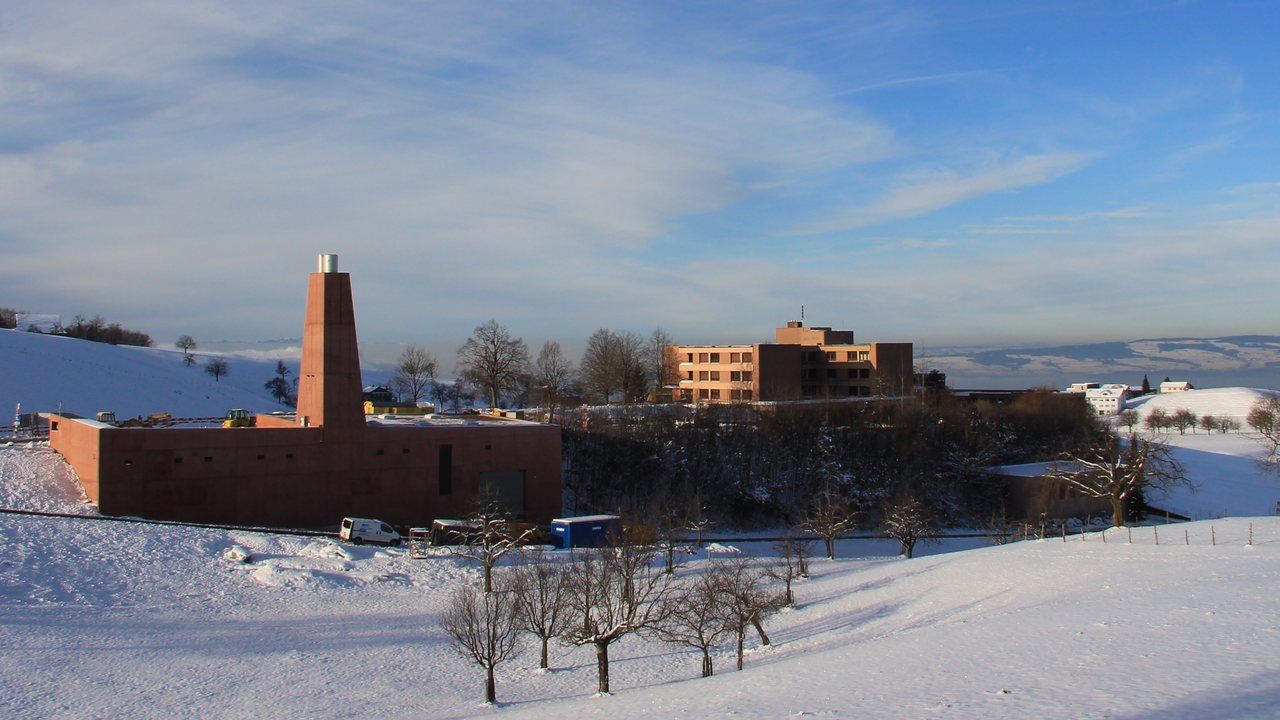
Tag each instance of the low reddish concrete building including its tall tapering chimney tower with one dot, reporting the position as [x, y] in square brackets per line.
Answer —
[326, 463]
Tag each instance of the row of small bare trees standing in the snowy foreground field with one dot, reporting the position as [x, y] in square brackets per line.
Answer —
[598, 598]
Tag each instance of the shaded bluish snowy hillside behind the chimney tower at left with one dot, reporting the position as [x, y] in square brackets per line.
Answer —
[42, 372]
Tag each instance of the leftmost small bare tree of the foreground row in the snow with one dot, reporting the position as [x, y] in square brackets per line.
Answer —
[483, 628]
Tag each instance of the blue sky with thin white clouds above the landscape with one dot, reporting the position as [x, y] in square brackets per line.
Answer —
[943, 174]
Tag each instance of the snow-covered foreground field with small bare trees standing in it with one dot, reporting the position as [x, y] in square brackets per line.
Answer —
[109, 619]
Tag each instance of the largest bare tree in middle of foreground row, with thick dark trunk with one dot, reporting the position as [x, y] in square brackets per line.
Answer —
[612, 598]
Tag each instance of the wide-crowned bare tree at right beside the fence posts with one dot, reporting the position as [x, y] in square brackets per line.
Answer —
[1116, 470]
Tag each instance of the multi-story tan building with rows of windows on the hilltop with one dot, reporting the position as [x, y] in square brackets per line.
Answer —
[802, 364]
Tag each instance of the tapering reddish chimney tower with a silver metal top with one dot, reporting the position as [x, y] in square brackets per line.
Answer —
[331, 393]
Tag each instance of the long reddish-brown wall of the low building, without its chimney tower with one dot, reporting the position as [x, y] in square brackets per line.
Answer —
[308, 477]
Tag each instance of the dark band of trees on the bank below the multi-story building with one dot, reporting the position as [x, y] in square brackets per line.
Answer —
[751, 468]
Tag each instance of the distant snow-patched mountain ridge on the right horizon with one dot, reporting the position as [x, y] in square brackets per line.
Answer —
[1223, 362]
